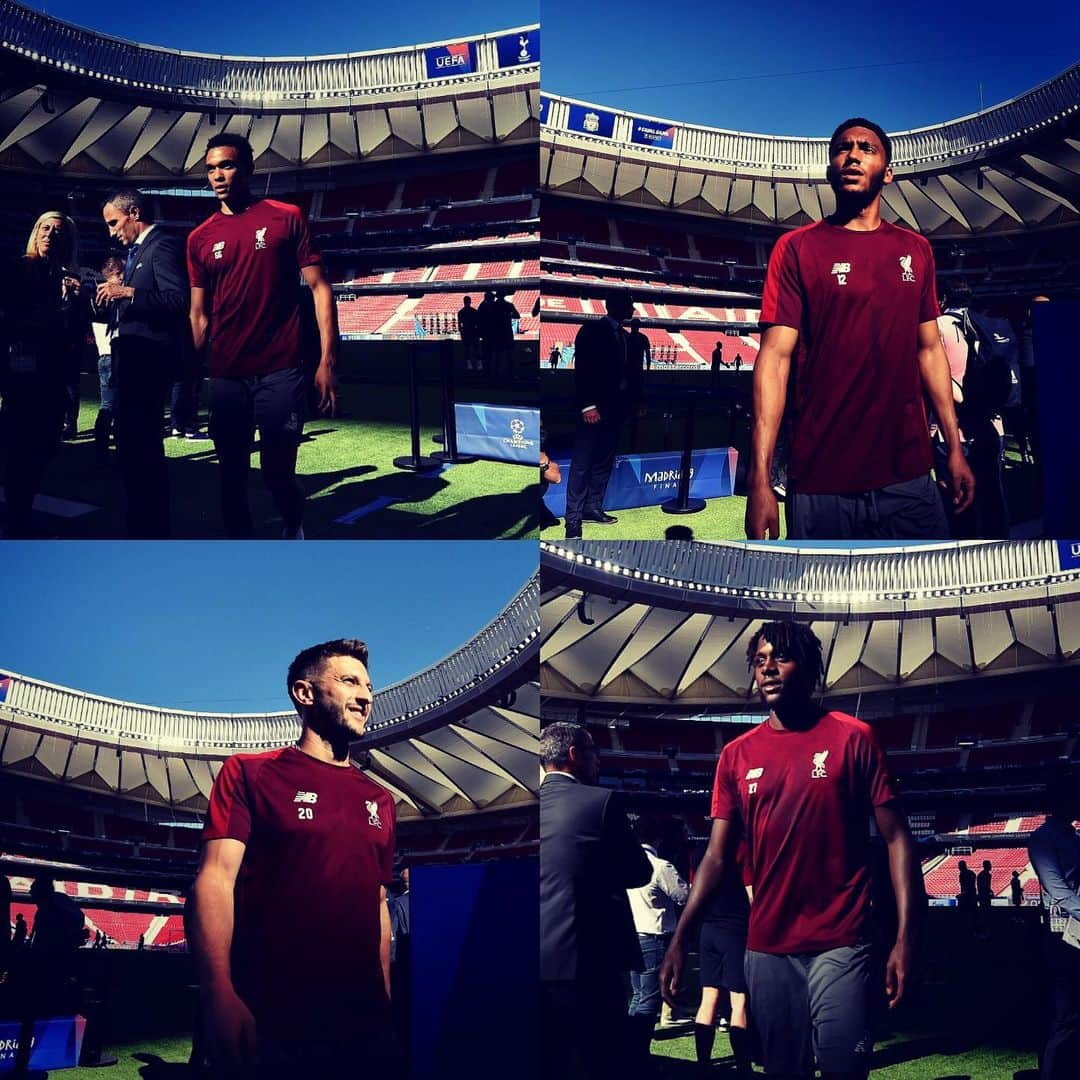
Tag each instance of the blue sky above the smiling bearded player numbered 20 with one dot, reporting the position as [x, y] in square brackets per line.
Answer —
[214, 626]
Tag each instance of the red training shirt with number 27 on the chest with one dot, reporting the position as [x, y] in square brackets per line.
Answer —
[805, 801]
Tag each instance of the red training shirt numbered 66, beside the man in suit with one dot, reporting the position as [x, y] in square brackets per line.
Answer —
[250, 265]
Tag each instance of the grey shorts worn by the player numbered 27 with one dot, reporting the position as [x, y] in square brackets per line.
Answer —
[813, 1007]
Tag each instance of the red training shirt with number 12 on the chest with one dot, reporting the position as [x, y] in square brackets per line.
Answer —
[857, 300]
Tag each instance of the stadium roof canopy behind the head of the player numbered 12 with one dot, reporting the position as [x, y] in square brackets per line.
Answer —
[1011, 168]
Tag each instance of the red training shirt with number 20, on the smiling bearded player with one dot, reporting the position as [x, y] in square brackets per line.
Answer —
[320, 843]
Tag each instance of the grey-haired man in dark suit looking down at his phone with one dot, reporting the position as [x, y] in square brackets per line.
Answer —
[150, 315]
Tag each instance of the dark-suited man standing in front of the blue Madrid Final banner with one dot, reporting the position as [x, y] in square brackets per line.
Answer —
[607, 389]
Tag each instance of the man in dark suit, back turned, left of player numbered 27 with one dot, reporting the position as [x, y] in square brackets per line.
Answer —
[589, 857]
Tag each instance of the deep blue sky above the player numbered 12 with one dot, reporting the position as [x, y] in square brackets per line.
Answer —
[793, 69]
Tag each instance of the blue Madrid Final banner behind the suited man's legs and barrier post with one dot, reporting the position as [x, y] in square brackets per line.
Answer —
[647, 480]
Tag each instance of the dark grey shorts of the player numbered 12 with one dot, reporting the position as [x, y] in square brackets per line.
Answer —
[909, 511]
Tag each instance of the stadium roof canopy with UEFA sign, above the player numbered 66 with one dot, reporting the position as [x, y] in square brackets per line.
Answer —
[89, 105]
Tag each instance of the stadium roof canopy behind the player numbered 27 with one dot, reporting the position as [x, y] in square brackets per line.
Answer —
[669, 624]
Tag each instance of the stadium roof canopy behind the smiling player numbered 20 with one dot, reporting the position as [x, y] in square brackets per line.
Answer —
[458, 737]
